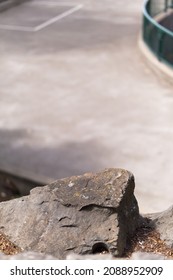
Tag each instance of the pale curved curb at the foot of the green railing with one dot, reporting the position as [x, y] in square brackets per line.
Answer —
[158, 67]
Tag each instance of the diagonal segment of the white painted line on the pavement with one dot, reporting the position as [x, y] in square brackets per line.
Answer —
[57, 18]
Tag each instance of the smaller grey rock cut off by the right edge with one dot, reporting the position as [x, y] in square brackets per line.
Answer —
[163, 223]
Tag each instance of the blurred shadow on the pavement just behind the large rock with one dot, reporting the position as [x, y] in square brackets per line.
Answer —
[19, 149]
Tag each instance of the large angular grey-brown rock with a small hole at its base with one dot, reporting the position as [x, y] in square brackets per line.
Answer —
[82, 214]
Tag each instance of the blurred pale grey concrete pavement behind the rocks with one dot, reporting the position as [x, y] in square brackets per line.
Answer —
[78, 96]
